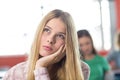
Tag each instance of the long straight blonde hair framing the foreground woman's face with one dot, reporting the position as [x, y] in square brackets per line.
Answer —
[69, 68]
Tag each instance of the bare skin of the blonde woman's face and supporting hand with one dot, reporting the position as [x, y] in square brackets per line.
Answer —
[52, 43]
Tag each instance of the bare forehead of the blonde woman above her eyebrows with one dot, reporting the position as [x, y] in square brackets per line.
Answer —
[56, 24]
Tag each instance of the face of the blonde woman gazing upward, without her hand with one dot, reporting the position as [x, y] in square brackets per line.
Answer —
[53, 37]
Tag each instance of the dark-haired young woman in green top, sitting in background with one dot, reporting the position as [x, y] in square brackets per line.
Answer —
[98, 65]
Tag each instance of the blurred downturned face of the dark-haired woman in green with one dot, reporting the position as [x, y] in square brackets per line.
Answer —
[85, 45]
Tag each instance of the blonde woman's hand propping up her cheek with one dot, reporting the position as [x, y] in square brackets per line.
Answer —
[51, 59]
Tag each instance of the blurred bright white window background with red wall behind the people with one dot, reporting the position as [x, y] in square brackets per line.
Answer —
[20, 18]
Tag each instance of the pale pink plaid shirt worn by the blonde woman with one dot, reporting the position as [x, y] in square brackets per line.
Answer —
[19, 72]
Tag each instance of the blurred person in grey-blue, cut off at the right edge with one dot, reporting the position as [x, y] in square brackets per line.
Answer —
[114, 58]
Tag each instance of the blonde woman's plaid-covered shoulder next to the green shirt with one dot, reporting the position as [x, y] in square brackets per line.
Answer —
[86, 70]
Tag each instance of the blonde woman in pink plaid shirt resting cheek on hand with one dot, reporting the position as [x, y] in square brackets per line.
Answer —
[54, 53]
